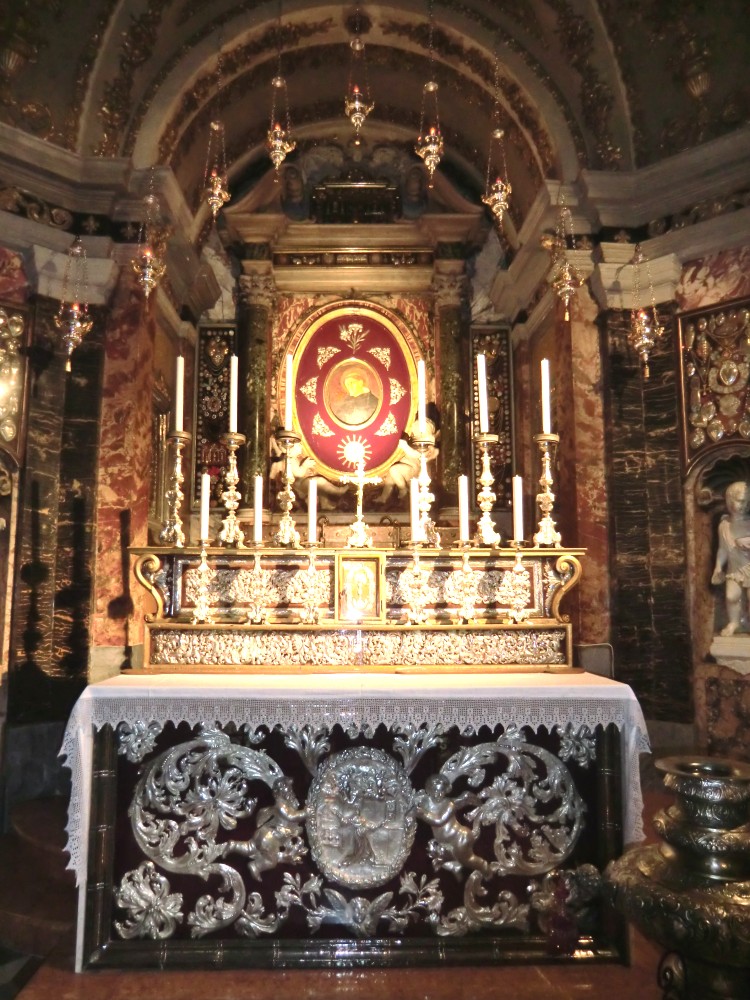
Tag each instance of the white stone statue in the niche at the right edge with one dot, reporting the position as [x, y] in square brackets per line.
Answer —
[732, 566]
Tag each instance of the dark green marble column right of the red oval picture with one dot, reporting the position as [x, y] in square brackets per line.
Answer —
[451, 313]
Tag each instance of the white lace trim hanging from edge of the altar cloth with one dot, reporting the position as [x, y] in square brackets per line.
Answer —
[467, 713]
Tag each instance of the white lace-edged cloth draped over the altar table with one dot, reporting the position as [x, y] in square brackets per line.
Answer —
[326, 699]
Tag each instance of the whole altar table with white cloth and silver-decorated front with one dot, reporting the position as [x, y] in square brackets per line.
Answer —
[181, 758]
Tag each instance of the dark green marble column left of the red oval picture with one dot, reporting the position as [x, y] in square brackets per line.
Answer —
[257, 292]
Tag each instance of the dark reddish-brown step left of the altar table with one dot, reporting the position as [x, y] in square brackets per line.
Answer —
[37, 894]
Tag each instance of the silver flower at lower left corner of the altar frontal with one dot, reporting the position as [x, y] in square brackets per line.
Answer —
[153, 911]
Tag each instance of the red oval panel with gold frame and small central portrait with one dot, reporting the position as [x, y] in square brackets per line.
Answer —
[354, 381]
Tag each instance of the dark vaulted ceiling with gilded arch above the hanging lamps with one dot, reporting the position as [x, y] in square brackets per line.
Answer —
[599, 84]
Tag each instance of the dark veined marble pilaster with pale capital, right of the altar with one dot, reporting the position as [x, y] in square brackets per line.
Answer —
[650, 626]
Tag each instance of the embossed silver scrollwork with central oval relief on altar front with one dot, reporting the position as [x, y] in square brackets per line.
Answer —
[497, 808]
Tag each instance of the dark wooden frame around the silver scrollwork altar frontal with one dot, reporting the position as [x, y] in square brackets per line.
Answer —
[606, 940]
